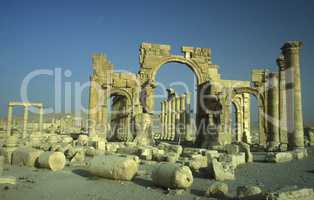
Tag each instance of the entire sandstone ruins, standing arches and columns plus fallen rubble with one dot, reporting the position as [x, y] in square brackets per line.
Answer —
[120, 136]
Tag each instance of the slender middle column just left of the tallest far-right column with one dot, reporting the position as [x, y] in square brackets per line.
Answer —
[283, 129]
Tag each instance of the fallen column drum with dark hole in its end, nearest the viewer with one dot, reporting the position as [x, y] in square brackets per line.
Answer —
[169, 175]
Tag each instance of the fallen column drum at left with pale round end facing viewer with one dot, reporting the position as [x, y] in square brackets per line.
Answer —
[52, 160]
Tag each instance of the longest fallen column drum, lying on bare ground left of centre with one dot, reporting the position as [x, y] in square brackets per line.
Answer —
[113, 167]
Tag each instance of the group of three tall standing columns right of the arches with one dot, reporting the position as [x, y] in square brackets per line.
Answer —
[285, 99]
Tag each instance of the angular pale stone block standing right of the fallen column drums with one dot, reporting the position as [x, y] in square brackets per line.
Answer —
[222, 171]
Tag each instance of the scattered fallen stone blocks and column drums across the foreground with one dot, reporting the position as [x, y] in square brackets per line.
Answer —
[174, 166]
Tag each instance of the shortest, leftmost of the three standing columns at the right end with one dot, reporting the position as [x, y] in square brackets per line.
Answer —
[274, 109]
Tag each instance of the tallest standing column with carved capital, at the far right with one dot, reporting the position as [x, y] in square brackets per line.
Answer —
[291, 52]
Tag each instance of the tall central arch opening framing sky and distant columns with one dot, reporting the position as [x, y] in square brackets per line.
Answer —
[183, 81]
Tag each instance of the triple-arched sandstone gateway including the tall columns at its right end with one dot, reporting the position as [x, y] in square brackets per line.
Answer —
[214, 96]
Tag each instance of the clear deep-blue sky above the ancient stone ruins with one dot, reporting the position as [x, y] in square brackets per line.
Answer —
[64, 34]
